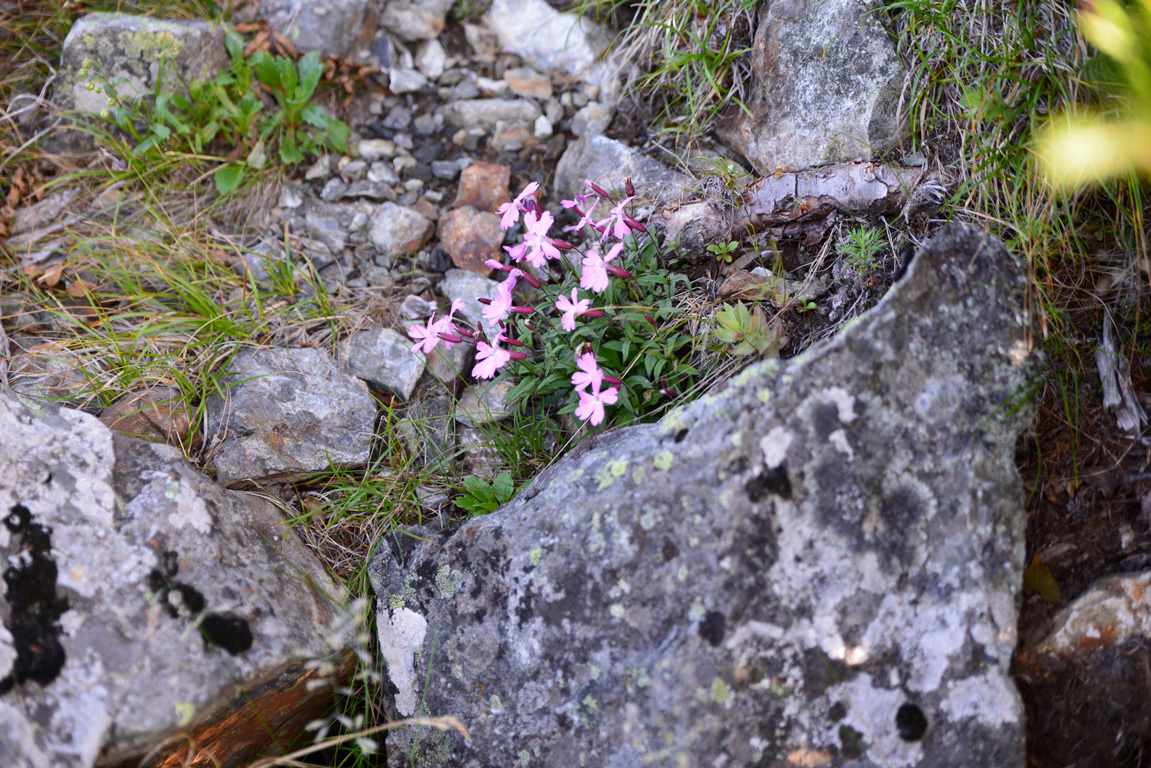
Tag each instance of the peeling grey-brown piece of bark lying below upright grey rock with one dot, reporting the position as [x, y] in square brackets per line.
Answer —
[797, 197]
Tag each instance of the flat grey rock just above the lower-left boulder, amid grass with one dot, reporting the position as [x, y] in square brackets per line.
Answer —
[288, 410]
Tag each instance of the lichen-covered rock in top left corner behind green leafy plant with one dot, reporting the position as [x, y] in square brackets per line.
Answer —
[138, 50]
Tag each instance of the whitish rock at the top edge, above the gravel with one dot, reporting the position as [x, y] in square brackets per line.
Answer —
[547, 39]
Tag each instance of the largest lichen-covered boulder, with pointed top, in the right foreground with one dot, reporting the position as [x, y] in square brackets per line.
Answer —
[819, 566]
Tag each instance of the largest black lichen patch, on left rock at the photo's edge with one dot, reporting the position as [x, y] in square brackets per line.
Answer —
[35, 606]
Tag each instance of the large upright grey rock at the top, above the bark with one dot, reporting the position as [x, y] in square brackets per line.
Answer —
[825, 89]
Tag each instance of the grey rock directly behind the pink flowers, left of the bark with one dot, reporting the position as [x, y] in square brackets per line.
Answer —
[608, 163]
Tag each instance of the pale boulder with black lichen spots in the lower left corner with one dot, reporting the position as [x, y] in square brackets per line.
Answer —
[144, 603]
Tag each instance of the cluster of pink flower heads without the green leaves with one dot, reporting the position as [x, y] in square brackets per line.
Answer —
[538, 249]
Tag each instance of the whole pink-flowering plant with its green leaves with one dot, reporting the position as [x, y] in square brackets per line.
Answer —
[585, 330]
